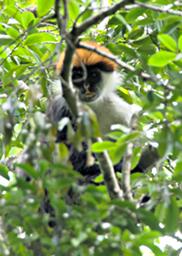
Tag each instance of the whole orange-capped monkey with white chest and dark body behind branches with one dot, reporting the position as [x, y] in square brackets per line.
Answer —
[95, 79]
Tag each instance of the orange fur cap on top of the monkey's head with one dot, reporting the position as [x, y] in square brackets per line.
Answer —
[87, 57]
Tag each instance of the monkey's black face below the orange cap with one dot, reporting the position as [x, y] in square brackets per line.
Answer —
[88, 82]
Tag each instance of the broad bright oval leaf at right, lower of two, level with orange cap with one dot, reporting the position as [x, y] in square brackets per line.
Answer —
[161, 58]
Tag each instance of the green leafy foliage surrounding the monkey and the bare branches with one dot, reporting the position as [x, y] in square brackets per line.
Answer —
[150, 41]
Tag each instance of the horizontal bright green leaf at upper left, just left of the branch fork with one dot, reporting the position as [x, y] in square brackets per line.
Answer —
[40, 38]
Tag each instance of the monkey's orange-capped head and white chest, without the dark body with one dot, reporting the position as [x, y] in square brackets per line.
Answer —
[95, 78]
